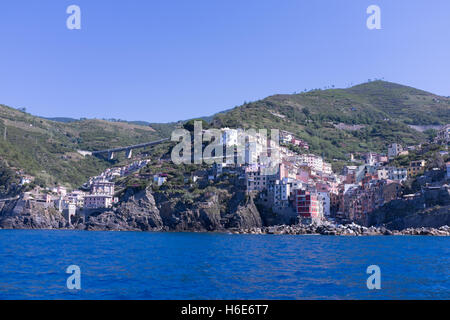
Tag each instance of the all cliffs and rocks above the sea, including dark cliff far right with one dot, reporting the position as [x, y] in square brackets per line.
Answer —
[145, 211]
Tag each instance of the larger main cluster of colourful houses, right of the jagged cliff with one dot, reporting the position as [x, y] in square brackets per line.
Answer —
[305, 185]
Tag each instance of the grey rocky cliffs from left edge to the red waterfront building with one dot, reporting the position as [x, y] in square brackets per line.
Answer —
[140, 211]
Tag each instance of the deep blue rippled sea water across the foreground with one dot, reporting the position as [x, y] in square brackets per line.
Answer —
[140, 265]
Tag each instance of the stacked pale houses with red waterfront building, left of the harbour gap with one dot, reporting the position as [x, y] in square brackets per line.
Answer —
[289, 183]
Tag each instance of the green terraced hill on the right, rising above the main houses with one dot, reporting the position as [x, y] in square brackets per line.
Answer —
[336, 122]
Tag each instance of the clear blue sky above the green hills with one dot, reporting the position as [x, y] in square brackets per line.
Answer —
[170, 60]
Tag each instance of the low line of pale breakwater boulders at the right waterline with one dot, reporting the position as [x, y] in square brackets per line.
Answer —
[343, 230]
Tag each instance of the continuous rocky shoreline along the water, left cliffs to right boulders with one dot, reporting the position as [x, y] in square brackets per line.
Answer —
[142, 212]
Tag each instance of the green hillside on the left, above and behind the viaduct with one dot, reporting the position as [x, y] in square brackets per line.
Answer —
[48, 149]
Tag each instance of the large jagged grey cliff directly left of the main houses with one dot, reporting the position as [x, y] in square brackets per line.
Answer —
[141, 211]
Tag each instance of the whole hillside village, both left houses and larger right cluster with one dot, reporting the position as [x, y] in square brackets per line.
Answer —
[303, 186]
